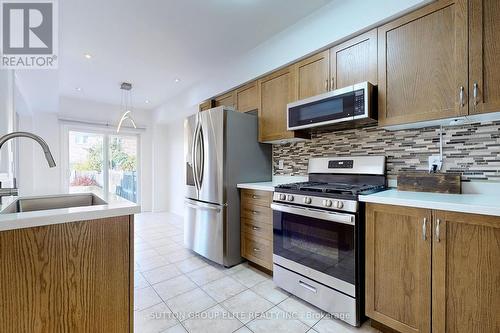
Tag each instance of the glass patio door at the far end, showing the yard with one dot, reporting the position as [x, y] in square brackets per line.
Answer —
[103, 164]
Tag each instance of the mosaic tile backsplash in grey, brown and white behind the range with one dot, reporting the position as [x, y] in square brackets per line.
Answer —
[471, 149]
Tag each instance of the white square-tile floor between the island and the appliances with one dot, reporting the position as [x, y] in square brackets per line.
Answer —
[179, 291]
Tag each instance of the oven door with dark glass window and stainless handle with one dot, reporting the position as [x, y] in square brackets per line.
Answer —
[317, 244]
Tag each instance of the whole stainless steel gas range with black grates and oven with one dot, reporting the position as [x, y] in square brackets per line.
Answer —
[318, 229]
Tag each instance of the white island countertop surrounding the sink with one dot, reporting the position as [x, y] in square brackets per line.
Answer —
[114, 207]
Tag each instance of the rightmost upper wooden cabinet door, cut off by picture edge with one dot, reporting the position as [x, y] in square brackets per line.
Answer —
[484, 53]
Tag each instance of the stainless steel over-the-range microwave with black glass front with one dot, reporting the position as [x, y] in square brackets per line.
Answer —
[345, 107]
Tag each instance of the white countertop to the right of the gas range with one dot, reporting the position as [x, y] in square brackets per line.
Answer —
[486, 204]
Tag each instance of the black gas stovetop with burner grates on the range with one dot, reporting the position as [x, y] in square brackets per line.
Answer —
[326, 189]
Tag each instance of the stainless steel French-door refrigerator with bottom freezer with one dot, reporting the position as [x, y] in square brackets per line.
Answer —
[221, 150]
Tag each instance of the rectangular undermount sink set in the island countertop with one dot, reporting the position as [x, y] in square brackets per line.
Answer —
[30, 204]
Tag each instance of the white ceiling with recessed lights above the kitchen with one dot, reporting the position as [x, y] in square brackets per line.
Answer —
[150, 43]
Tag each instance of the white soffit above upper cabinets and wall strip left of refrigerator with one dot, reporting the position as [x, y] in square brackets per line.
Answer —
[329, 25]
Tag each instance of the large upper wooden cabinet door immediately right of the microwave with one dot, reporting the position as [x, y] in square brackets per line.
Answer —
[422, 65]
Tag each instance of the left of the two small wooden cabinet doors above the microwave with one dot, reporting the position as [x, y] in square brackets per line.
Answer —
[312, 75]
